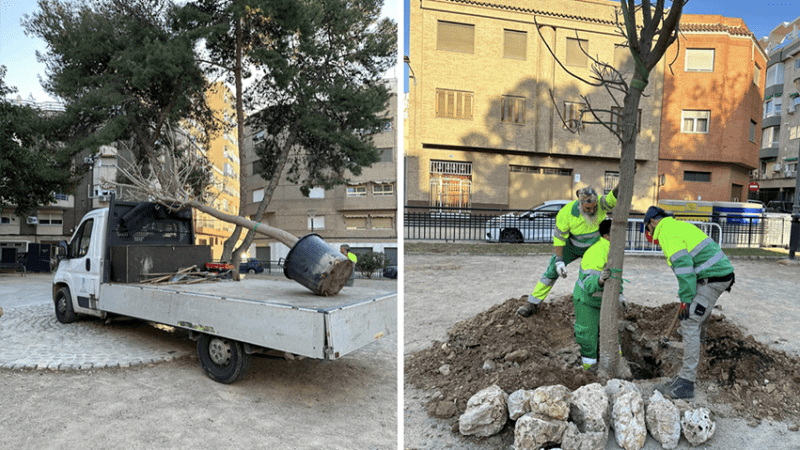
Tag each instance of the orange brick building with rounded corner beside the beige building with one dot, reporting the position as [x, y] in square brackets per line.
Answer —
[711, 114]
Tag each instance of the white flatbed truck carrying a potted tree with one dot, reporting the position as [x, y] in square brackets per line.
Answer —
[113, 247]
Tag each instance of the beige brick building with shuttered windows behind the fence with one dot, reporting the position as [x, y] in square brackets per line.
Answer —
[483, 129]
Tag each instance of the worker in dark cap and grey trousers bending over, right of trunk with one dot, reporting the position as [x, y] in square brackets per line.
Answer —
[704, 273]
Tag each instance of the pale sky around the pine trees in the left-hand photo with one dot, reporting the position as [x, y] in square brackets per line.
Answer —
[18, 51]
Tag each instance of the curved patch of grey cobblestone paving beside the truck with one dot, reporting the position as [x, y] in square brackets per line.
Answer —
[32, 338]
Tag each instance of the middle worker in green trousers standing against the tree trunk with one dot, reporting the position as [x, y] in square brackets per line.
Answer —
[588, 296]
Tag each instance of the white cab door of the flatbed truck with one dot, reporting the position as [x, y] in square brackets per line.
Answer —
[83, 266]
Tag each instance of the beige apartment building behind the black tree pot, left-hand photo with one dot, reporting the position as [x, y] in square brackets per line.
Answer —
[362, 213]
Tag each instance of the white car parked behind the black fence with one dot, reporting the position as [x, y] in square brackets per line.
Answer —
[534, 225]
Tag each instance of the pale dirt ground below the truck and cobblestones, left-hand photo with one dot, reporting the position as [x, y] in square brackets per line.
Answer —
[301, 404]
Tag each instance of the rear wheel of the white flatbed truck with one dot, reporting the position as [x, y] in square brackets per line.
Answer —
[223, 360]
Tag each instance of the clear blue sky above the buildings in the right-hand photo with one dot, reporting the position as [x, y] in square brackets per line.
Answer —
[760, 18]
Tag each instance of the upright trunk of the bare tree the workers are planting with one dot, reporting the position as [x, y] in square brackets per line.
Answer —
[609, 337]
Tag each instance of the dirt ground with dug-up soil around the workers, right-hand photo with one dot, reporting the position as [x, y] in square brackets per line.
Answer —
[750, 383]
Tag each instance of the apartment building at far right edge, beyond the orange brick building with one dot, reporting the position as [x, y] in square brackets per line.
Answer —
[777, 170]
